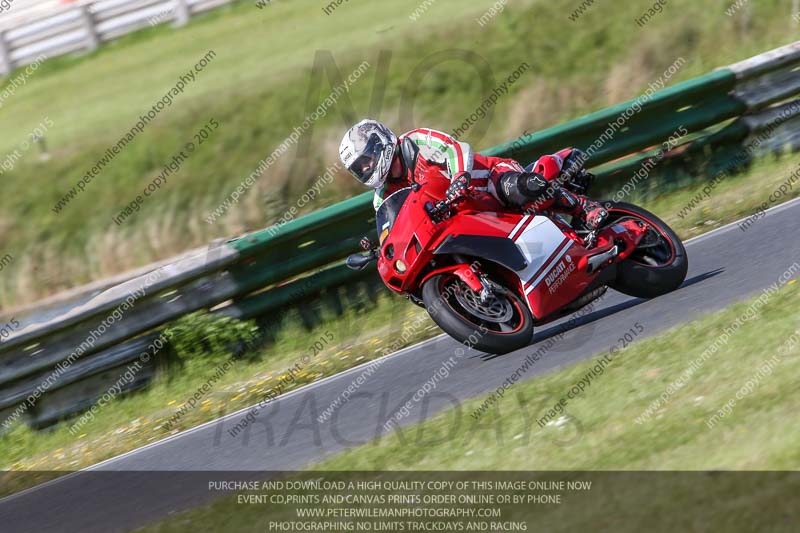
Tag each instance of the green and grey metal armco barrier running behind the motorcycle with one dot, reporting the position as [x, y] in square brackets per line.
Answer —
[263, 272]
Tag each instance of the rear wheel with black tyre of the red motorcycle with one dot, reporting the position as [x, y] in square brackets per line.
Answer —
[658, 265]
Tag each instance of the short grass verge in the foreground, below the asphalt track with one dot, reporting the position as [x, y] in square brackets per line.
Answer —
[600, 432]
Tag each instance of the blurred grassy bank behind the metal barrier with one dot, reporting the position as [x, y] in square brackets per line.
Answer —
[257, 87]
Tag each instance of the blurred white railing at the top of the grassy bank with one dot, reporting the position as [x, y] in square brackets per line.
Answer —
[51, 28]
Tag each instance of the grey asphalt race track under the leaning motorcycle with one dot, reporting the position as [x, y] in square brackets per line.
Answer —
[725, 266]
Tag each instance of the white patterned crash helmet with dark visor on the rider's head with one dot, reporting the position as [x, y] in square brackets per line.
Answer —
[367, 150]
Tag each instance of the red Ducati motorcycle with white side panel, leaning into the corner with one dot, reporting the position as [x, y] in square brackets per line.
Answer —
[488, 277]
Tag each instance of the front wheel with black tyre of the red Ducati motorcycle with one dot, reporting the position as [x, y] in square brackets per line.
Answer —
[500, 325]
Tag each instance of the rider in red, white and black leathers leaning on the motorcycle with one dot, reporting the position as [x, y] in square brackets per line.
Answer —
[375, 156]
